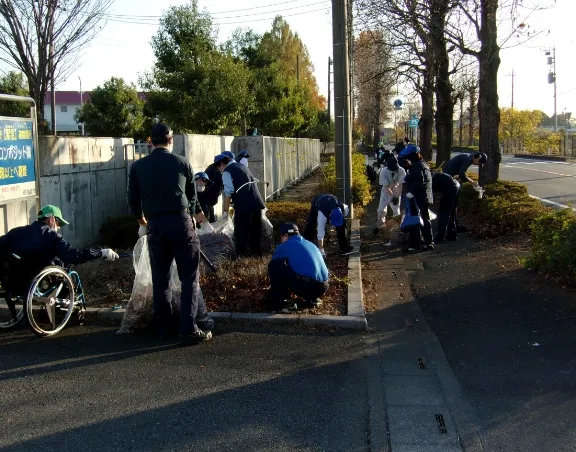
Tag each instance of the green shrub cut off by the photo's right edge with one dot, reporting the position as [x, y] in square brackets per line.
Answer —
[553, 247]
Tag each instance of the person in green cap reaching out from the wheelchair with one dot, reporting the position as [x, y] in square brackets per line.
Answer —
[38, 245]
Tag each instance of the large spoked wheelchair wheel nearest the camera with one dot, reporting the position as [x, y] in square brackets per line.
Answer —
[50, 301]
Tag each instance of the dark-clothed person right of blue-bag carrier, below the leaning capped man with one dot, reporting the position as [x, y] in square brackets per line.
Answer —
[449, 190]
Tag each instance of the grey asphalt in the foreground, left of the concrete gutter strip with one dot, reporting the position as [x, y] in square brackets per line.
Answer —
[260, 389]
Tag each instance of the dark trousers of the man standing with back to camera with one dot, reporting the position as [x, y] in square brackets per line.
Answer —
[174, 238]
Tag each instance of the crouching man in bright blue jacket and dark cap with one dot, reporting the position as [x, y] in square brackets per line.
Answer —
[296, 267]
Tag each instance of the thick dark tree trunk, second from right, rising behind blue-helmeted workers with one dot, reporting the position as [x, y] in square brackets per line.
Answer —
[444, 100]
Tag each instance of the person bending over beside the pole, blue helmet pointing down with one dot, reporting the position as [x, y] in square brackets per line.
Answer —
[327, 208]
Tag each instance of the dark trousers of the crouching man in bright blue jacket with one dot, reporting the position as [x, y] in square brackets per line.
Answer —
[284, 281]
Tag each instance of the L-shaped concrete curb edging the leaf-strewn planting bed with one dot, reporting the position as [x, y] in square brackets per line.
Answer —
[355, 320]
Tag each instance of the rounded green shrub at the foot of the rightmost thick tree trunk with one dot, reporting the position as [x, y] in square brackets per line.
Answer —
[505, 207]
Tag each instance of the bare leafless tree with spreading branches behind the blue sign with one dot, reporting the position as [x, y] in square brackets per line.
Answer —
[32, 29]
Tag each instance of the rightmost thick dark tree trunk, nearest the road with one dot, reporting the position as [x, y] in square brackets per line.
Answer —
[488, 110]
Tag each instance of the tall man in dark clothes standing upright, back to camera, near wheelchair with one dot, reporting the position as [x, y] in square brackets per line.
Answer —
[161, 195]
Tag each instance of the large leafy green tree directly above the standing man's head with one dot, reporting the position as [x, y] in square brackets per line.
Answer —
[194, 86]
